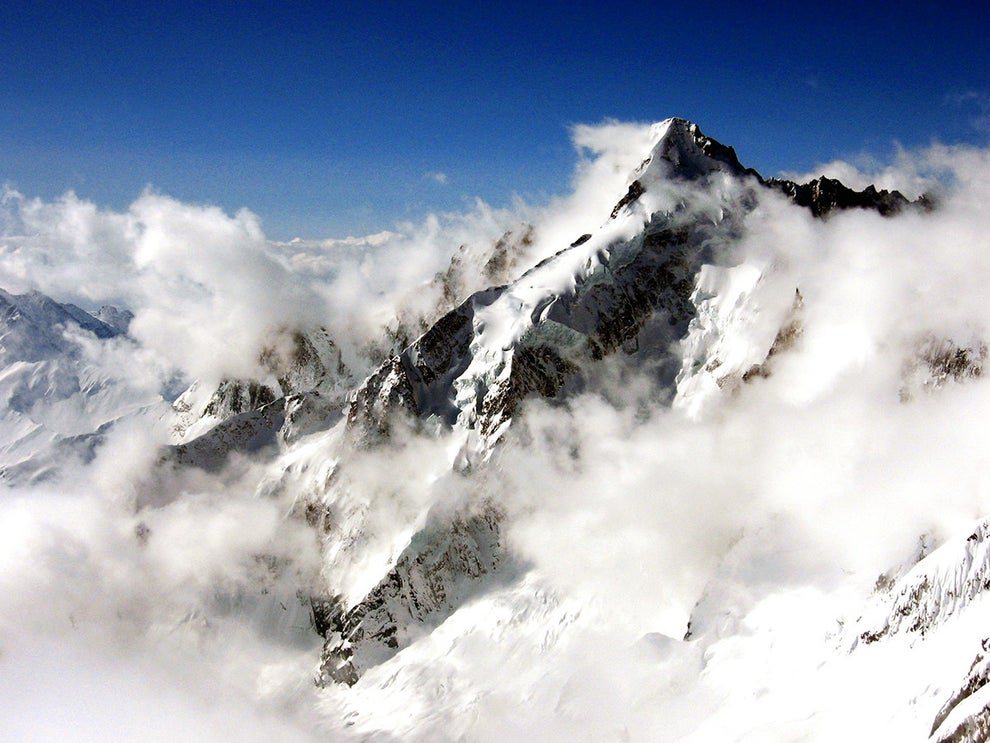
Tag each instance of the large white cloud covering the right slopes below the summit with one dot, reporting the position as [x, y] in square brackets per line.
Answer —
[768, 519]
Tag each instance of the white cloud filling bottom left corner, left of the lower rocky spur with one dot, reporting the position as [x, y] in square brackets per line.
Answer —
[109, 631]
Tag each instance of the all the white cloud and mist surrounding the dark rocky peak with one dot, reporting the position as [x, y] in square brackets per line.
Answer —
[754, 515]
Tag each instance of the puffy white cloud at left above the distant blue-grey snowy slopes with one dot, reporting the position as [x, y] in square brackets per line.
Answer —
[204, 288]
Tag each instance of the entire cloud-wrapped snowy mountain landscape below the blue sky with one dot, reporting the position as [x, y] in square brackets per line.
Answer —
[689, 455]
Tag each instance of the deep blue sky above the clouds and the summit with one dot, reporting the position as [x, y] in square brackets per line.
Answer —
[329, 119]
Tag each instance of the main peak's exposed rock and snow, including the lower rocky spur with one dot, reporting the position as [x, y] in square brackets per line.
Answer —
[655, 287]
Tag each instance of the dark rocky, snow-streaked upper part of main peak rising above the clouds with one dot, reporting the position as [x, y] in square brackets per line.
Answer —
[630, 286]
